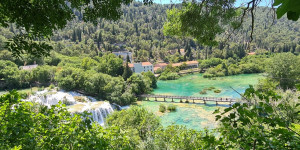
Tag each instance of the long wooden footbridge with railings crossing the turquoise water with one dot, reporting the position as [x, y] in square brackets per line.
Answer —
[189, 99]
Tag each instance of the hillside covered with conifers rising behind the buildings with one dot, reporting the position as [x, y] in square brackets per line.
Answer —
[140, 30]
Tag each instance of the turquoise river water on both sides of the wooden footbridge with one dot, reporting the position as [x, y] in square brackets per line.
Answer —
[198, 116]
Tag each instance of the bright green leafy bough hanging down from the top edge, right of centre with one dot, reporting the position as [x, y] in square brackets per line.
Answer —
[208, 18]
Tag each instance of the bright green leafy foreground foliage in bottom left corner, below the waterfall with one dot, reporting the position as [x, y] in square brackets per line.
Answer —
[27, 125]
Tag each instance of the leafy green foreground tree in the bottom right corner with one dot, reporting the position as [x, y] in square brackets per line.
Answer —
[262, 121]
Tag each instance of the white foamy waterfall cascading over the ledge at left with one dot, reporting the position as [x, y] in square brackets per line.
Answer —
[75, 103]
